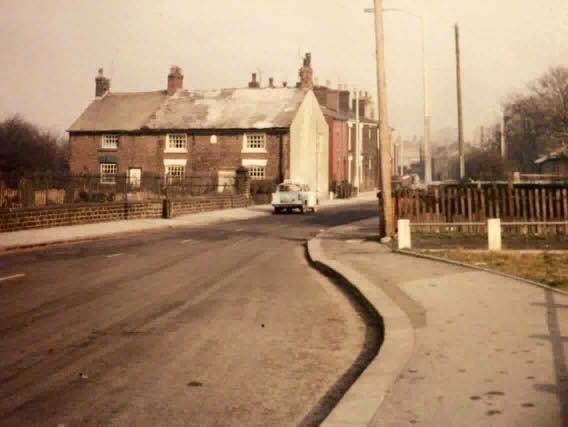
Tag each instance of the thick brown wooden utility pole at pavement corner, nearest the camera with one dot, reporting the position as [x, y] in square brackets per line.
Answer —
[386, 214]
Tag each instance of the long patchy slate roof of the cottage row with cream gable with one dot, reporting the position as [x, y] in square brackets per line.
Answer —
[200, 109]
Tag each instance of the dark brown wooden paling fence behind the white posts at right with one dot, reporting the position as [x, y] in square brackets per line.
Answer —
[545, 206]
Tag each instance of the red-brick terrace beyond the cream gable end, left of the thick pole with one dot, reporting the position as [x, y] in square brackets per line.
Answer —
[340, 116]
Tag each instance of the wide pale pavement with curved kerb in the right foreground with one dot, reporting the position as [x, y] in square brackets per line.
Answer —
[472, 348]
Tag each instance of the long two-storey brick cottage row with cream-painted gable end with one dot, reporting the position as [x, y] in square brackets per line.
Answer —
[276, 132]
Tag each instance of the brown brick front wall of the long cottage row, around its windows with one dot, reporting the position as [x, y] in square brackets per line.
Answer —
[147, 152]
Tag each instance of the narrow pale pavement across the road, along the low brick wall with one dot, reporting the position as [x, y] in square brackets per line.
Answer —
[53, 235]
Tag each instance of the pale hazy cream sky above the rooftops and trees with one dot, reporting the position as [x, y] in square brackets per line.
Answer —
[52, 49]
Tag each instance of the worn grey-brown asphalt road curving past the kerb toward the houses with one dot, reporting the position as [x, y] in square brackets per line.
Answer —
[222, 325]
